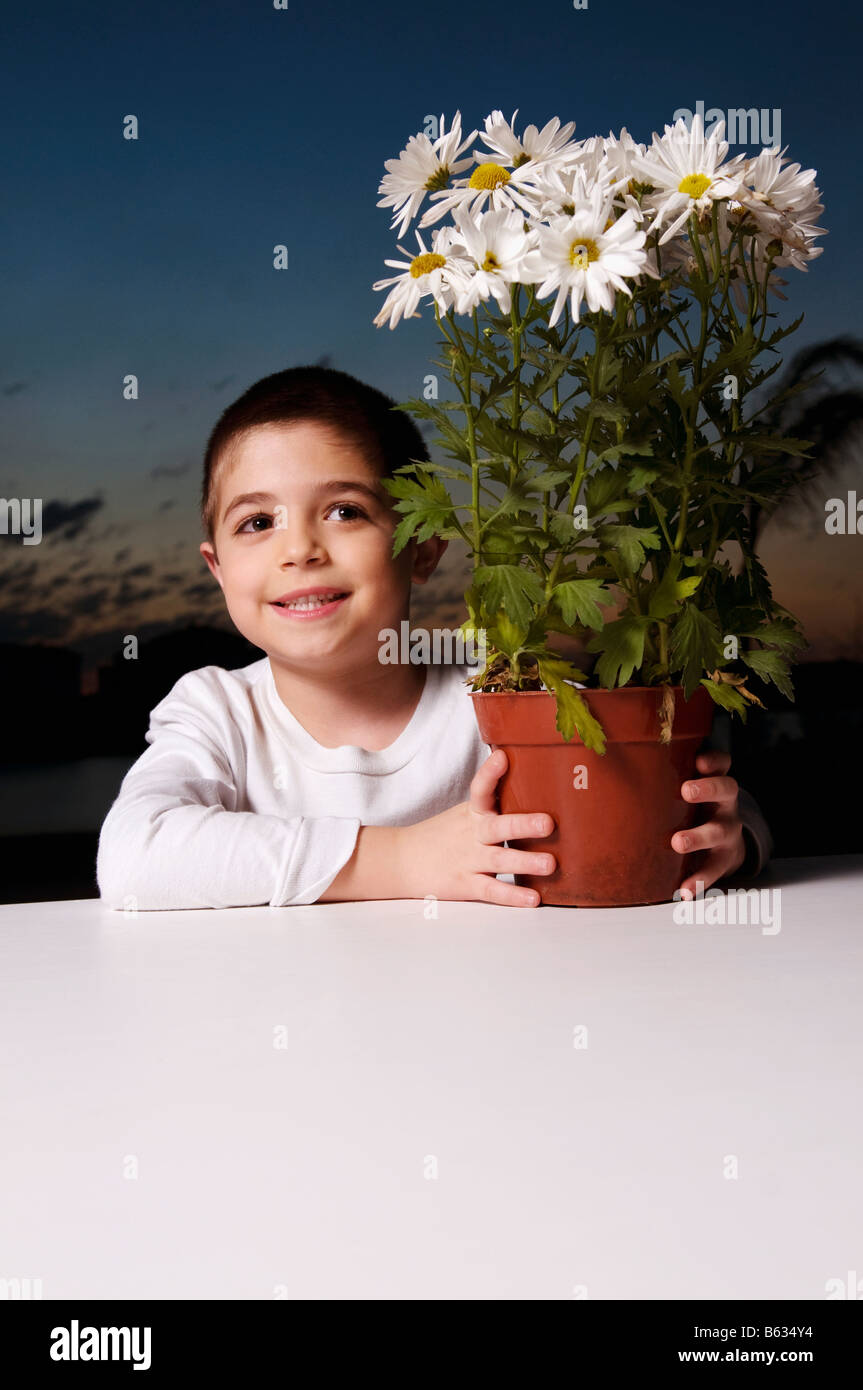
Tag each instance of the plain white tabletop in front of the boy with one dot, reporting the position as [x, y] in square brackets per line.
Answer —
[352, 1100]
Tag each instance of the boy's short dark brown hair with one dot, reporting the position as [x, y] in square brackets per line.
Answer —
[365, 416]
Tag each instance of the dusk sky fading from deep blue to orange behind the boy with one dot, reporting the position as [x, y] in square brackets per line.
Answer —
[262, 127]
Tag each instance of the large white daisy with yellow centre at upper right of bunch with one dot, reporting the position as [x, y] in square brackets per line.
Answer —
[687, 173]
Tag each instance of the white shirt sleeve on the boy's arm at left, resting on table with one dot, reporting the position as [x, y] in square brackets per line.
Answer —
[174, 839]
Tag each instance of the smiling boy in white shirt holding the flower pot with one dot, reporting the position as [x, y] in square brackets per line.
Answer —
[319, 774]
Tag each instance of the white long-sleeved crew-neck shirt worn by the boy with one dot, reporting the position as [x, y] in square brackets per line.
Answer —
[236, 804]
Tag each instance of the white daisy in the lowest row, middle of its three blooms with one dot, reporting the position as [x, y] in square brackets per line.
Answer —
[495, 247]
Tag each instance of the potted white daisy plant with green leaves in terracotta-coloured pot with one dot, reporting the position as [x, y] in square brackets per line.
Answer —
[605, 323]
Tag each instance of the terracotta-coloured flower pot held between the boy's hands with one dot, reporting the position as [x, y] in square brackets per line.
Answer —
[614, 814]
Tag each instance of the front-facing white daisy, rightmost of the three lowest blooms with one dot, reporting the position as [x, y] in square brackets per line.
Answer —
[587, 255]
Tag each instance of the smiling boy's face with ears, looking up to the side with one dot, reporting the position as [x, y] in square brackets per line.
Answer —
[308, 533]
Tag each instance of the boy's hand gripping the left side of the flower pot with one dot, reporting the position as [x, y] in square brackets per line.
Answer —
[457, 856]
